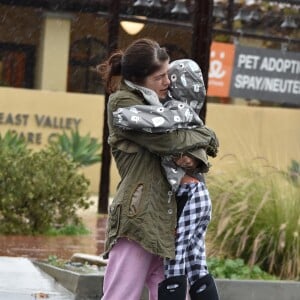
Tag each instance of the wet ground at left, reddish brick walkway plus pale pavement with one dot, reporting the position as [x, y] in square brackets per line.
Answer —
[20, 279]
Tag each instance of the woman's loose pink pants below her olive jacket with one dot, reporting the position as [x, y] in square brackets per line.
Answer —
[130, 267]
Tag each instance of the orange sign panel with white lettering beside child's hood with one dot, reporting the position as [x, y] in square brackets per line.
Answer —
[220, 69]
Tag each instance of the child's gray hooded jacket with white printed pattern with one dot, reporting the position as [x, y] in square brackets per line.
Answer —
[180, 110]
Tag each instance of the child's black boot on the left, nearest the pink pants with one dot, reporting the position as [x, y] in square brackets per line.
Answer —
[172, 288]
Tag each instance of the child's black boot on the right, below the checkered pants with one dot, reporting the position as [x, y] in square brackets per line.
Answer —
[207, 287]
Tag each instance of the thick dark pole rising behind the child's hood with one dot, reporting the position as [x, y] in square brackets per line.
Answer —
[201, 40]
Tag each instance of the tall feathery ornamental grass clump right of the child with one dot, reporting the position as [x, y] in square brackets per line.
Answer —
[256, 213]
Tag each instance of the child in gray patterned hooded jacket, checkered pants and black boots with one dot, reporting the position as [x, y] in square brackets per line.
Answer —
[180, 110]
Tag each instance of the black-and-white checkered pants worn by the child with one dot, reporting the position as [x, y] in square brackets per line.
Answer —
[190, 258]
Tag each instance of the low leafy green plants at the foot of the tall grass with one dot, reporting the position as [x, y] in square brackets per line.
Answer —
[235, 269]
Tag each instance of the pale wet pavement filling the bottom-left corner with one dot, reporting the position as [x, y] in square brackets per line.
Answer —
[20, 279]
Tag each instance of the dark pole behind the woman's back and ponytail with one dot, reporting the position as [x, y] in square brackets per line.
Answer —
[113, 34]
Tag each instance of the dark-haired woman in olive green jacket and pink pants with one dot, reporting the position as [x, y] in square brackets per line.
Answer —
[142, 216]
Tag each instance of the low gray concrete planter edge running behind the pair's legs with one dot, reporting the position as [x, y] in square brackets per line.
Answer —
[89, 286]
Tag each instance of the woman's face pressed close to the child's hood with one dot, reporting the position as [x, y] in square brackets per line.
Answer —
[159, 81]
